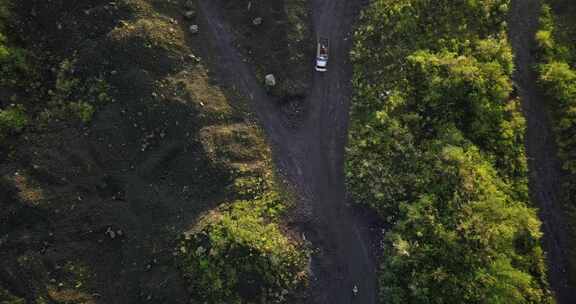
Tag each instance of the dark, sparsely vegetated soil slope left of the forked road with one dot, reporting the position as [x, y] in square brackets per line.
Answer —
[138, 169]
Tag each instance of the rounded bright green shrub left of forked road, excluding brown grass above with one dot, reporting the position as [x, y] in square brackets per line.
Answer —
[238, 255]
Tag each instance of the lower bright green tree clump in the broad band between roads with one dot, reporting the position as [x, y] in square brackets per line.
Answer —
[464, 240]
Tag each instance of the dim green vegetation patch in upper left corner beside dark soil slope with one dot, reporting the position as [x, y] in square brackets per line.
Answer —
[70, 98]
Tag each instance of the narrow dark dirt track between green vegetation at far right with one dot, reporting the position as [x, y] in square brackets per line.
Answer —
[545, 170]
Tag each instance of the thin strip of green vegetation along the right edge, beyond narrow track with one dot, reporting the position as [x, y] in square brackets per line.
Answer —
[557, 77]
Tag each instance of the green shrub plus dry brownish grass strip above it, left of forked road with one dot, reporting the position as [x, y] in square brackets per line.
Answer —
[238, 252]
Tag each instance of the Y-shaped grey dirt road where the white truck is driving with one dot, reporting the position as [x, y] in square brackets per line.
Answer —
[311, 157]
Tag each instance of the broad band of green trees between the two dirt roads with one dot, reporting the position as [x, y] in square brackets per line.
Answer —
[437, 149]
